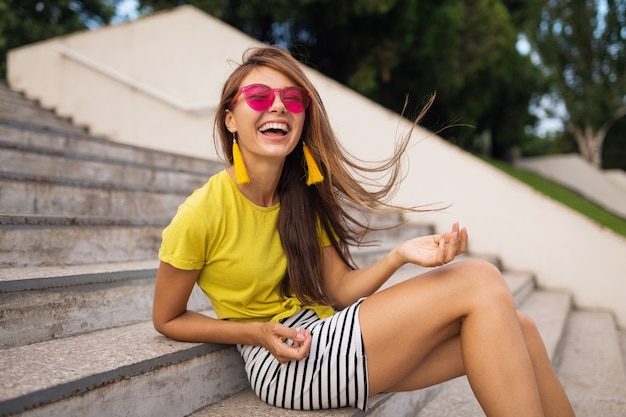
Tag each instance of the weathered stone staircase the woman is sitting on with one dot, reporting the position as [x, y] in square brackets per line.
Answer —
[80, 224]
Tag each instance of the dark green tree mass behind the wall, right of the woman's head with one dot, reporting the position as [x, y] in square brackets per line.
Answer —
[388, 49]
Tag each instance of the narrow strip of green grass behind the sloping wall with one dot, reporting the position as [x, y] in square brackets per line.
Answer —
[565, 196]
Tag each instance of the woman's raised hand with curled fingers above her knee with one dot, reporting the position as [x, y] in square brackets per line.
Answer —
[434, 250]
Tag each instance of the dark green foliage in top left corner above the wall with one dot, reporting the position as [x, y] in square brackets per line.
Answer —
[27, 21]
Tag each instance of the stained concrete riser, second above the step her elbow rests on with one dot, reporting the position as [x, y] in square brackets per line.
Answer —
[33, 241]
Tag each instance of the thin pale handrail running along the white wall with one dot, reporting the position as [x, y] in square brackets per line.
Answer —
[198, 109]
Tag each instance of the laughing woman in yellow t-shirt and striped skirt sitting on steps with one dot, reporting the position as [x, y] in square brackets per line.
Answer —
[268, 241]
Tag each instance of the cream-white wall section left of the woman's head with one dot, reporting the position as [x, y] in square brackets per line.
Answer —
[184, 55]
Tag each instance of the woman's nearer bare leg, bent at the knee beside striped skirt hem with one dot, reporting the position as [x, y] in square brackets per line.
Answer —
[456, 320]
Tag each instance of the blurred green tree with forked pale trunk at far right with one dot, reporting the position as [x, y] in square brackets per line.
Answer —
[582, 44]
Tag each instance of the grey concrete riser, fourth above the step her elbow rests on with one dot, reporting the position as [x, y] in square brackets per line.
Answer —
[43, 165]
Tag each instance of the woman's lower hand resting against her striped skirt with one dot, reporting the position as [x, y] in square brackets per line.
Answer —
[286, 343]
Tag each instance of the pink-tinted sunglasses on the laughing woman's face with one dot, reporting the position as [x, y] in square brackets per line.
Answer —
[261, 97]
